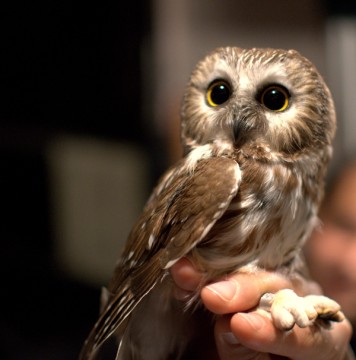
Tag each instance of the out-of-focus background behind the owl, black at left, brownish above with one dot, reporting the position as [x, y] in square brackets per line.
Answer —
[89, 104]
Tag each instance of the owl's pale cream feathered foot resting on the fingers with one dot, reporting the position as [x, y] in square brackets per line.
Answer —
[287, 309]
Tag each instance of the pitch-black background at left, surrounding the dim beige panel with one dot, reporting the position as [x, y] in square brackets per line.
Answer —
[66, 67]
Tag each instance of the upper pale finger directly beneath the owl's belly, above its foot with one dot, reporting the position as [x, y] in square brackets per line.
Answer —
[241, 292]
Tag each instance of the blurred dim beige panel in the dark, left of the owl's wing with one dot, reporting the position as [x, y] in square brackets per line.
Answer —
[98, 188]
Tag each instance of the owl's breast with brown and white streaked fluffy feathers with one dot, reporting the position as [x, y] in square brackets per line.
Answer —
[266, 223]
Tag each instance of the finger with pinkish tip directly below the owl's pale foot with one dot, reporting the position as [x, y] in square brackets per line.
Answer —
[313, 342]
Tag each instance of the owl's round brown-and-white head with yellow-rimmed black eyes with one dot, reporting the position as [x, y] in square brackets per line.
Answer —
[257, 97]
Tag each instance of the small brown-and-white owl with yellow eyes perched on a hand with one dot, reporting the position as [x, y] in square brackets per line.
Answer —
[257, 127]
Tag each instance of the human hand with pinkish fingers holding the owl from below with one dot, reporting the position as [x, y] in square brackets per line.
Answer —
[242, 333]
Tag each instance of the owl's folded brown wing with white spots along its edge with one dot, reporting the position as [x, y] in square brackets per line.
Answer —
[183, 208]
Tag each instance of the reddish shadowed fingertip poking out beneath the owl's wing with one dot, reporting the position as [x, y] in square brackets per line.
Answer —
[185, 275]
